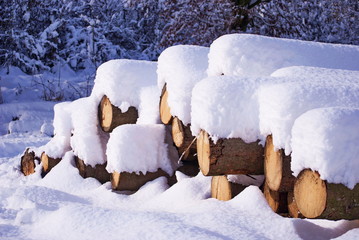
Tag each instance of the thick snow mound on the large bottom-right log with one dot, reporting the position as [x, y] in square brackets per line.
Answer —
[326, 140]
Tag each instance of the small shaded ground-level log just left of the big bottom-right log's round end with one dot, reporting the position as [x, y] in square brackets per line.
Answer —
[277, 201]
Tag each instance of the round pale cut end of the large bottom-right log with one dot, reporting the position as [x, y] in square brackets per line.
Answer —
[310, 194]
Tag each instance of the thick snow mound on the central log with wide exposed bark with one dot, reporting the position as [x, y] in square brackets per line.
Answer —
[227, 107]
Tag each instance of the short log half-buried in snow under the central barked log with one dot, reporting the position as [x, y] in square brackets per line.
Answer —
[224, 190]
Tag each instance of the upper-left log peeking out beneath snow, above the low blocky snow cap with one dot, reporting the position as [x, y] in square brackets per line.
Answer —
[111, 116]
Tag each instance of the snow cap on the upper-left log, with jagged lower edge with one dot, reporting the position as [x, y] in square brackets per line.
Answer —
[121, 80]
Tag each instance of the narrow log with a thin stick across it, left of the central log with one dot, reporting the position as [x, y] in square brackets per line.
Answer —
[183, 139]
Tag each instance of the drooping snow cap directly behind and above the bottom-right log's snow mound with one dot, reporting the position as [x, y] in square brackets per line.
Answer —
[281, 103]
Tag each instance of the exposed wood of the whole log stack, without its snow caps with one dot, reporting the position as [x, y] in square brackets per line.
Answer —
[305, 196]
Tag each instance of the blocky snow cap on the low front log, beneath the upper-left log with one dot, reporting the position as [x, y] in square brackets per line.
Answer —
[138, 148]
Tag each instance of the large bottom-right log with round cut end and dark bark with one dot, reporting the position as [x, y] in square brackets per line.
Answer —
[316, 198]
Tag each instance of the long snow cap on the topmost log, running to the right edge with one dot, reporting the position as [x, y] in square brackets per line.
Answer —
[253, 55]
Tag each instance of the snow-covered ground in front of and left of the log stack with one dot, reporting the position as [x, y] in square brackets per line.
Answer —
[63, 205]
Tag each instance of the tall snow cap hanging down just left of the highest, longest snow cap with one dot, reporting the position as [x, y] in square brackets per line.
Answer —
[180, 68]
